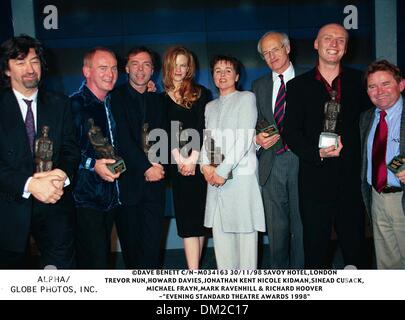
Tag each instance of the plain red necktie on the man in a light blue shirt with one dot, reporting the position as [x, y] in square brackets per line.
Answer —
[379, 165]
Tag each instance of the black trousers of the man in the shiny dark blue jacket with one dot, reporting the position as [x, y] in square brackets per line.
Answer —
[93, 238]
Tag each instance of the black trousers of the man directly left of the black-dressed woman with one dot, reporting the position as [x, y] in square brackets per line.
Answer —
[139, 228]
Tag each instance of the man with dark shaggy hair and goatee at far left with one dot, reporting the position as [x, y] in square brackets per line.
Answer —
[36, 203]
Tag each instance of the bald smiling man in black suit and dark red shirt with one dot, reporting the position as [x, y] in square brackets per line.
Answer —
[329, 178]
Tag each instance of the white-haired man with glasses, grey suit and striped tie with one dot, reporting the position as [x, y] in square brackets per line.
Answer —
[278, 166]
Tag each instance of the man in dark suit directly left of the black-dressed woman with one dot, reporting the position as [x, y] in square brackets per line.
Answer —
[142, 188]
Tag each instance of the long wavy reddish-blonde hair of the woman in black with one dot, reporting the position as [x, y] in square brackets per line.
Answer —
[189, 91]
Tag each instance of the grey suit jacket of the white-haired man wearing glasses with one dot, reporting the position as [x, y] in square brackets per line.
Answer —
[263, 90]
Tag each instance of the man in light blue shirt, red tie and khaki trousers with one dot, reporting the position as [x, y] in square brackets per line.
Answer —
[382, 132]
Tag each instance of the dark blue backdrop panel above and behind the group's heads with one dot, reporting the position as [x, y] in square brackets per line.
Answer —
[207, 27]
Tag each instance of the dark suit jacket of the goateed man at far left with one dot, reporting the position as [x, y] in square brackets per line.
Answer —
[17, 163]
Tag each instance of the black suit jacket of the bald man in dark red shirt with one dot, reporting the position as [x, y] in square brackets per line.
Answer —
[332, 178]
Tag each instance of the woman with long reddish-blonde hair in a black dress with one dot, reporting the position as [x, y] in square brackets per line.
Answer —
[185, 101]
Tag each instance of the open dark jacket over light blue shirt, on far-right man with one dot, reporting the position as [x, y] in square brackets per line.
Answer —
[366, 121]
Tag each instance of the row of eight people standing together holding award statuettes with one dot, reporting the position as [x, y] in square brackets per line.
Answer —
[282, 182]
